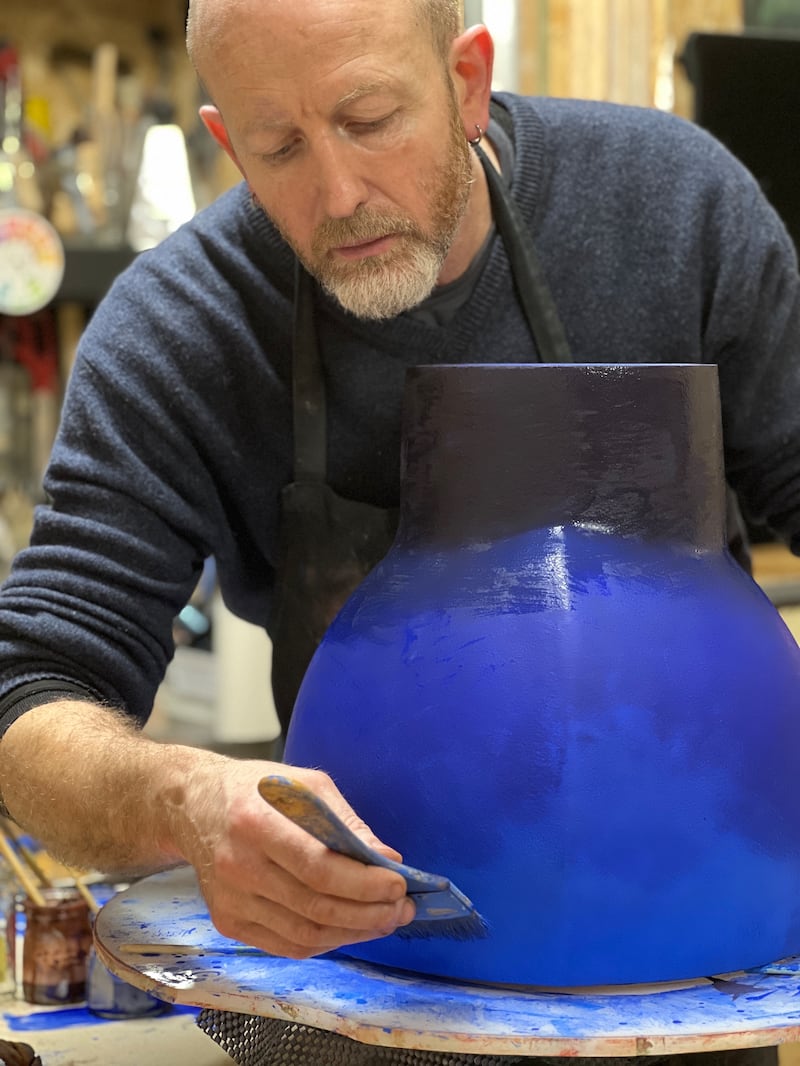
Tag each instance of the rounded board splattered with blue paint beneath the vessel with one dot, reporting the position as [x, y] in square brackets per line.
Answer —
[140, 935]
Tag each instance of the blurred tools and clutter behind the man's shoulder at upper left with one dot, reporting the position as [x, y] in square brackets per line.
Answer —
[95, 167]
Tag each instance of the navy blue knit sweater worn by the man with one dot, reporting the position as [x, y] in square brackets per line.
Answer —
[175, 439]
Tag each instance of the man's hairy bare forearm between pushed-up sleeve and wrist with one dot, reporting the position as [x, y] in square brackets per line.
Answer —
[94, 790]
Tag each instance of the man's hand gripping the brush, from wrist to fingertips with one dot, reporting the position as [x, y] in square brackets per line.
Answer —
[269, 883]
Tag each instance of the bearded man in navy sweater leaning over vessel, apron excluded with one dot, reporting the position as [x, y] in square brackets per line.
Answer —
[358, 128]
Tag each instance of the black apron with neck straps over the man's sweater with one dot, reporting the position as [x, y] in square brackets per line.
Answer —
[329, 544]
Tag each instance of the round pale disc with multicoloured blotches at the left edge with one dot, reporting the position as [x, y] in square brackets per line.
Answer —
[31, 262]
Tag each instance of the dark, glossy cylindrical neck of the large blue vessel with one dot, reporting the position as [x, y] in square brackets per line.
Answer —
[631, 450]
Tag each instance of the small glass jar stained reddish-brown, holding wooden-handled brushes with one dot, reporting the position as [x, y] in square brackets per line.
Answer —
[57, 943]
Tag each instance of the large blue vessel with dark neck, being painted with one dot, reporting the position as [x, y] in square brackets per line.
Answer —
[561, 690]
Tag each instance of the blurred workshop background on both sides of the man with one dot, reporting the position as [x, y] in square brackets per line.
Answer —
[100, 136]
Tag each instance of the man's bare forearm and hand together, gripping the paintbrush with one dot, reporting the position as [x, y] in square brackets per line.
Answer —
[99, 795]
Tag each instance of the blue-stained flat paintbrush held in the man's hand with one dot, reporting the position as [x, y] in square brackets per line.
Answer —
[442, 910]
